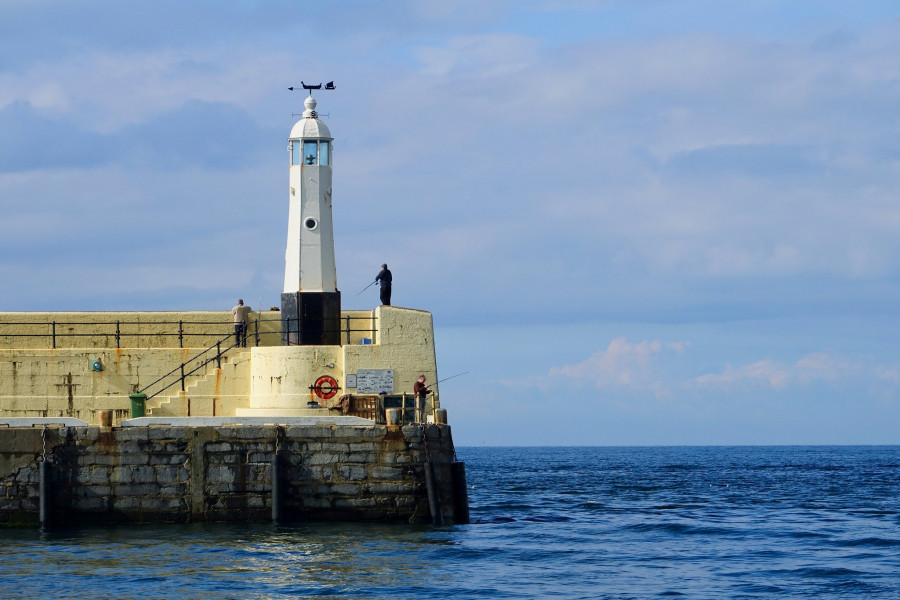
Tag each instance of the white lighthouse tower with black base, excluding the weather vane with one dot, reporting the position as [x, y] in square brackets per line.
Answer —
[310, 302]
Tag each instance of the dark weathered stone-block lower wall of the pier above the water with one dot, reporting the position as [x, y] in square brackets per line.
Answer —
[189, 474]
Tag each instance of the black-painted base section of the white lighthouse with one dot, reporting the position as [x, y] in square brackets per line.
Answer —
[311, 319]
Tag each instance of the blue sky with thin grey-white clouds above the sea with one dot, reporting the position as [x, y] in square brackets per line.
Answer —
[636, 223]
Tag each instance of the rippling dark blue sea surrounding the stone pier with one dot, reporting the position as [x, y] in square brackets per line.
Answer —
[663, 522]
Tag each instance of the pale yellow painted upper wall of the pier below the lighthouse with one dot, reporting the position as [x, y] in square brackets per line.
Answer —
[75, 365]
